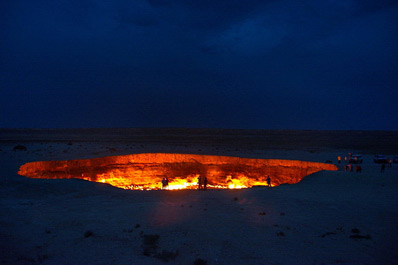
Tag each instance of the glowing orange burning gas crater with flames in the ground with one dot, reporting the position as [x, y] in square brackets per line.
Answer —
[146, 171]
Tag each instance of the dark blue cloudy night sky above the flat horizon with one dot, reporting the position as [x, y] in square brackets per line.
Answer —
[278, 64]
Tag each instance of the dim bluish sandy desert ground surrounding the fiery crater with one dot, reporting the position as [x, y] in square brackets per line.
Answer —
[328, 218]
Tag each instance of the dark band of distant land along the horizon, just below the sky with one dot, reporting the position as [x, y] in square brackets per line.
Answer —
[367, 142]
